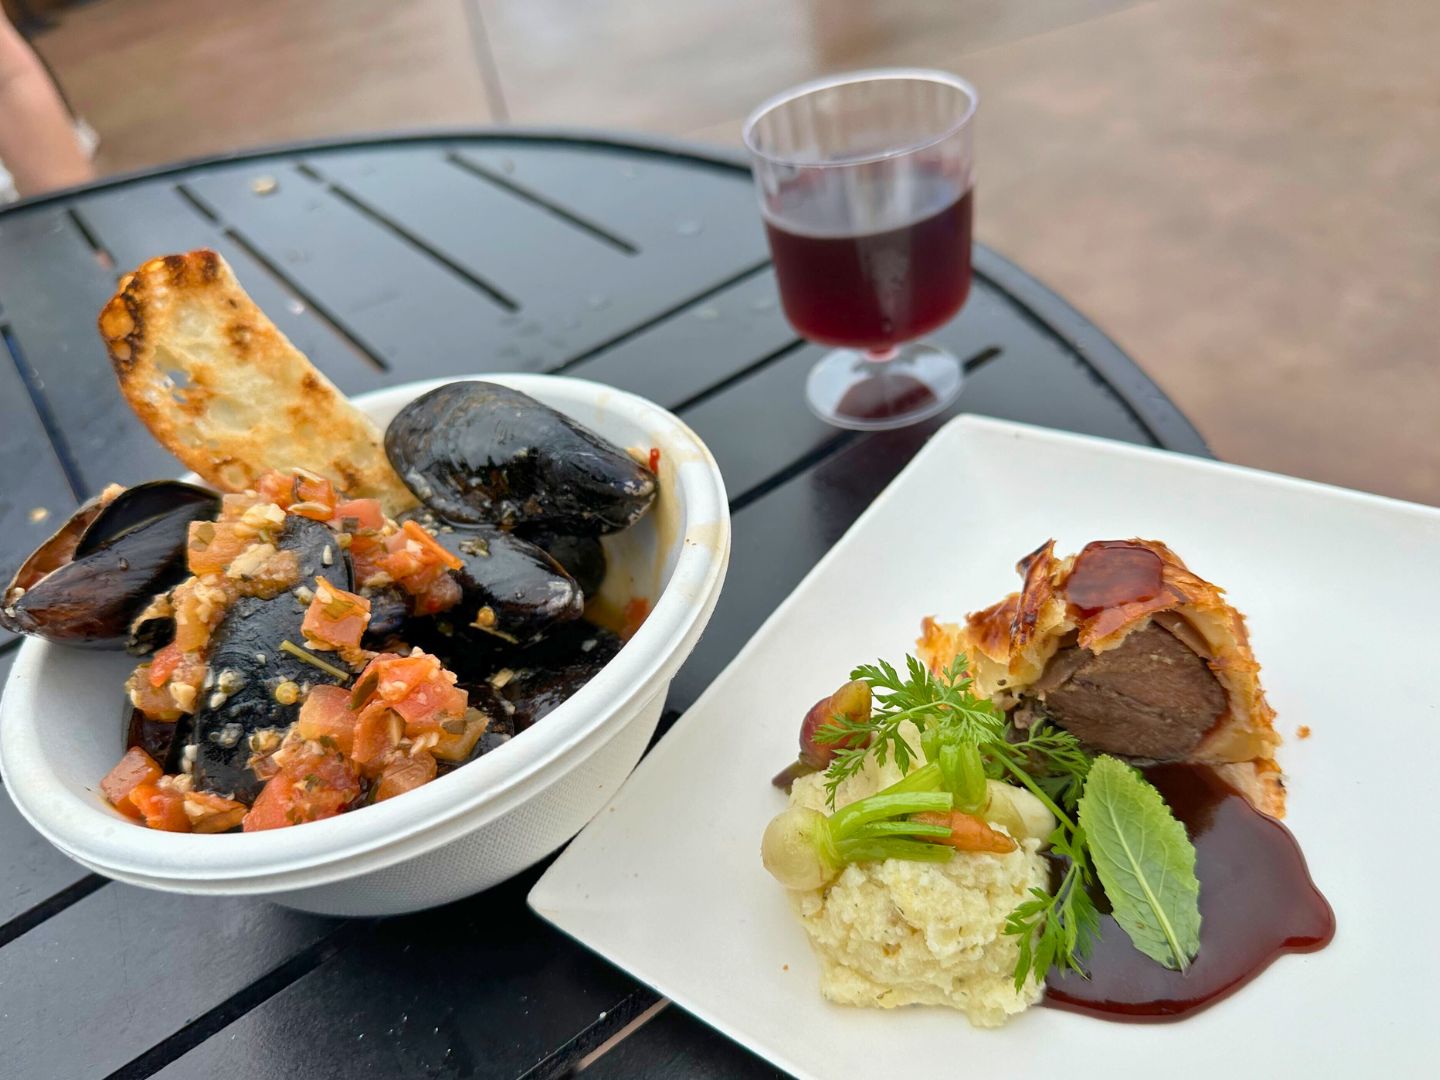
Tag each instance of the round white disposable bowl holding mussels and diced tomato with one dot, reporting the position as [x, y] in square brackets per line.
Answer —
[466, 832]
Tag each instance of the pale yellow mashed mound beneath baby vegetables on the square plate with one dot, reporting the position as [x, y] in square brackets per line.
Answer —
[919, 934]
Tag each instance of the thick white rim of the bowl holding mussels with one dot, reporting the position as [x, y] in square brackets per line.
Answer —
[100, 839]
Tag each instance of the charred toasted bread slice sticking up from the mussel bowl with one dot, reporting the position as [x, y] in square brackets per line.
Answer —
[224, 391]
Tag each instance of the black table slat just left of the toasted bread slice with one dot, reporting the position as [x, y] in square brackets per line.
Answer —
[53, 289]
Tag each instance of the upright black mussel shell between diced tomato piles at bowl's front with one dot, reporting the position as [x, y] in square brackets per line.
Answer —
[248, 665]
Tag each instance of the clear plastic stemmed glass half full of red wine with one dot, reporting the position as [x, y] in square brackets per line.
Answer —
[866, 185]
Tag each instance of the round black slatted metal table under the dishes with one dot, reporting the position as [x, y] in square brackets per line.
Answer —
[636, 263]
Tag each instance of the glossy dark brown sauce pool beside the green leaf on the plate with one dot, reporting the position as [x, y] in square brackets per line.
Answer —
[1256, 902]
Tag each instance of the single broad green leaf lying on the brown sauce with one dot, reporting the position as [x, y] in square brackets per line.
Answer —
[1146, 863]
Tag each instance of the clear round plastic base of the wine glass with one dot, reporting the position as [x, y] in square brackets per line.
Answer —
[850, 390]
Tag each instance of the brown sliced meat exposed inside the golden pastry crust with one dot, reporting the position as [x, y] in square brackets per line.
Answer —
[1153, 698]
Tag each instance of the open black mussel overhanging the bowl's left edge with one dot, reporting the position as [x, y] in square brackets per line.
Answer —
[87, 584]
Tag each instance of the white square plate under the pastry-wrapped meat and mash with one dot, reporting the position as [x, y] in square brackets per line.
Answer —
[1343, 597]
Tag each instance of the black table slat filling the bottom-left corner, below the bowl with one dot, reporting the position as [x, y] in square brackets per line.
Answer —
[117, 973]
